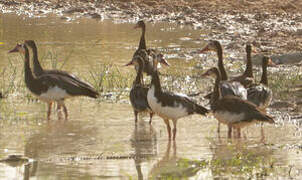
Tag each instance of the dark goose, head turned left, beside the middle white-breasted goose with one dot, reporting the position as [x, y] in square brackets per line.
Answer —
[138, 93]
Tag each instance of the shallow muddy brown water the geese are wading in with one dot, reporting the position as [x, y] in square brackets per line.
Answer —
[100, 141]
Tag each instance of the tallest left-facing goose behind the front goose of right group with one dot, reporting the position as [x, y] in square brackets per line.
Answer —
[226, 87]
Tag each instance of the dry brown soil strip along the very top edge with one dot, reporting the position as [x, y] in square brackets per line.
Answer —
[247, 6]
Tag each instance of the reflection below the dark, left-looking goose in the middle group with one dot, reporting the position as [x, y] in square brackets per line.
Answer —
[145, 145]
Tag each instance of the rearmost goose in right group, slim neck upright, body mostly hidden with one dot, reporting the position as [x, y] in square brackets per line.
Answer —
[247, 78]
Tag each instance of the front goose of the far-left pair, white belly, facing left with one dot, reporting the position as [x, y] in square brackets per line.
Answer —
[51, 87]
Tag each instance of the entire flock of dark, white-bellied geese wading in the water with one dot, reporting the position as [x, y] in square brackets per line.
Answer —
[237, 102]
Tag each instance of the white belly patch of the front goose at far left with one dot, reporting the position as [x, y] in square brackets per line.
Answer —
[54, 94]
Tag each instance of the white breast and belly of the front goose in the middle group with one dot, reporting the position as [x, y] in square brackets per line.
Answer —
[166, 112]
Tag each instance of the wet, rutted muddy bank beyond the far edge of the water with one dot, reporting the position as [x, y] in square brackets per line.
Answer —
[274, 27]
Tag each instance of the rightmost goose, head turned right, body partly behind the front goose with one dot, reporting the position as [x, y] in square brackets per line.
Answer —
[260, 94]
